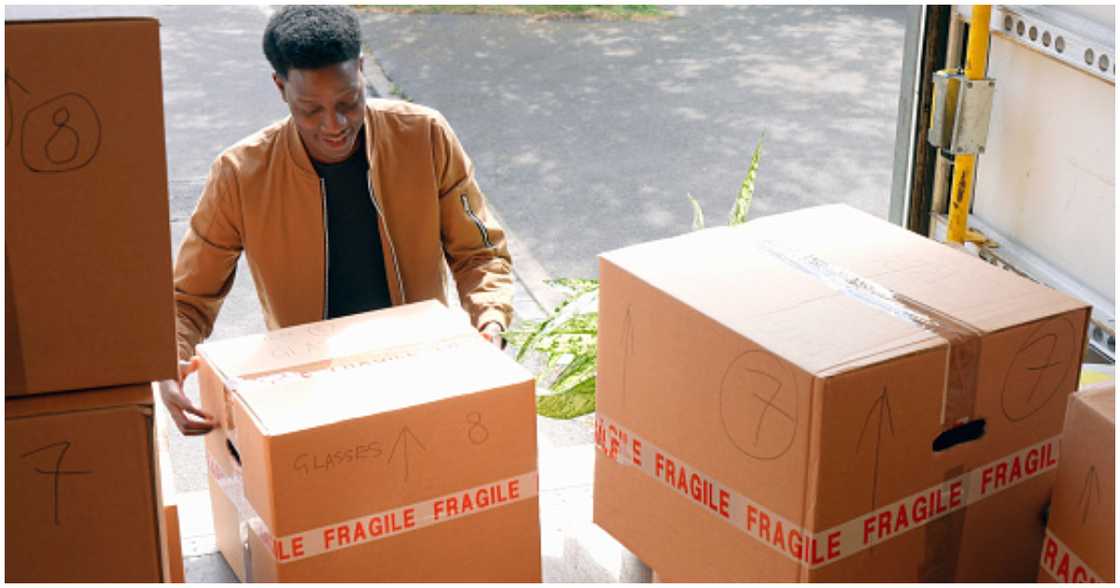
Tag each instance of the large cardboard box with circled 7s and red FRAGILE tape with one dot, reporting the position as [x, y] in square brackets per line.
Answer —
[770, 398]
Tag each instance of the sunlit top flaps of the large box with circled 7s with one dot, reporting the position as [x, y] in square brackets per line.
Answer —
[731, 276]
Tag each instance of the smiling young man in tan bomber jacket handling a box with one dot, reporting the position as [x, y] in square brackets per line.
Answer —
[348, 206]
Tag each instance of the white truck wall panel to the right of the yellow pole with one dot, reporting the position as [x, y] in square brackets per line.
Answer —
[1048, 179]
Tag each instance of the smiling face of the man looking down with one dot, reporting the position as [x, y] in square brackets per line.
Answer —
[328, 106]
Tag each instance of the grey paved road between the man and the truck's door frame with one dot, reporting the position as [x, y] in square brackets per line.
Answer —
[589, 136]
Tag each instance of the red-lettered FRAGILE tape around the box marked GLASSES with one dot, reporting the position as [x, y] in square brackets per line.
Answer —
[378, 526]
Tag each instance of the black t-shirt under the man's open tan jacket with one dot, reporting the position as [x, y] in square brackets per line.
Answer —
[356, 267]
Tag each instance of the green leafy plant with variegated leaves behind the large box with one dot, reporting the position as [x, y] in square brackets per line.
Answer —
[566, 343]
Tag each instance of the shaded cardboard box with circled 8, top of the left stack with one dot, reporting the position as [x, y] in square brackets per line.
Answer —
[88, 265]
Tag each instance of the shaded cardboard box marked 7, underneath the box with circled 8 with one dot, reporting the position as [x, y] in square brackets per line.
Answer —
[80, 493]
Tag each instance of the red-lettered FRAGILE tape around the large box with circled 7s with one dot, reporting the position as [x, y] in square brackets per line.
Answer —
[819, 549]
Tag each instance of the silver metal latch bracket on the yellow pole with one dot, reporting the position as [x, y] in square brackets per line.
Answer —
[962, 113]
